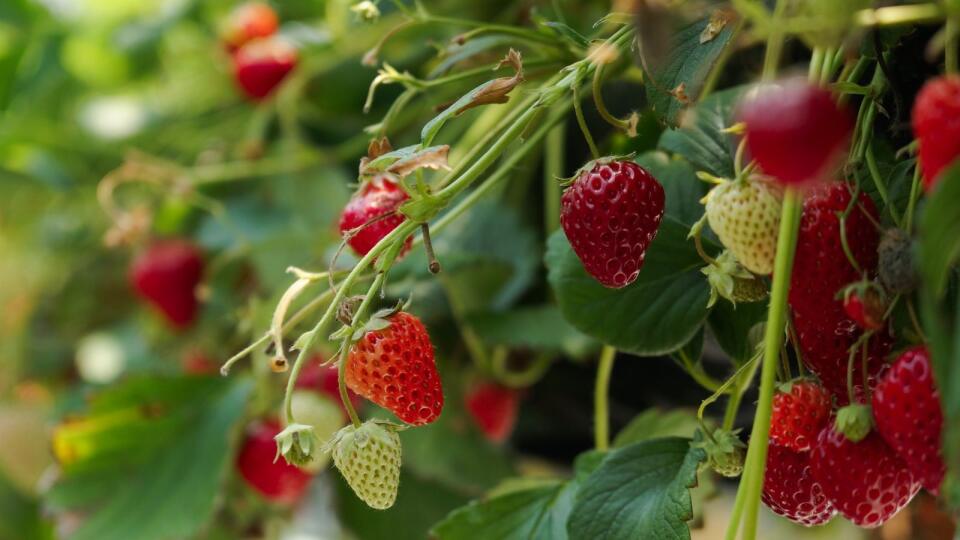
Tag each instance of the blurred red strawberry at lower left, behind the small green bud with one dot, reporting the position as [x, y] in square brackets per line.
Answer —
[275, 479]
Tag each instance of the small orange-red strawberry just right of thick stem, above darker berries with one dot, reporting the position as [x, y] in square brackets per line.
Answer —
[800, 411]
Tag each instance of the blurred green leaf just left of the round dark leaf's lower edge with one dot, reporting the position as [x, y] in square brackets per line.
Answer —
[538, 328]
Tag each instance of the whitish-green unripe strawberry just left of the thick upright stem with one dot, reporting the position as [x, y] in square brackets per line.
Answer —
[745, 214]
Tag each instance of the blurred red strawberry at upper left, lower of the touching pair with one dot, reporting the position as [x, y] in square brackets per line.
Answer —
[262, 64]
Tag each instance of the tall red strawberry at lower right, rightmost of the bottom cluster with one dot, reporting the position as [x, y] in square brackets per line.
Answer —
[906, 408]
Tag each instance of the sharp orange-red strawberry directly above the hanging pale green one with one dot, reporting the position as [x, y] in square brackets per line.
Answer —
[394, 368]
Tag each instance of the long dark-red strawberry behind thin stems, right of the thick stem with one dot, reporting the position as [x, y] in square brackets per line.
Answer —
[821, 269]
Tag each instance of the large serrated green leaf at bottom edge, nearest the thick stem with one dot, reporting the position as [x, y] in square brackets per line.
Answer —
[639, 492]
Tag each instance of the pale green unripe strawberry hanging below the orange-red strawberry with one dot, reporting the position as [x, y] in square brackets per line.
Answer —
[368, 457]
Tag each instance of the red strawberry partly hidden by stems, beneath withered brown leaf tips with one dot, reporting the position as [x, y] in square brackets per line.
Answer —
[377, 197]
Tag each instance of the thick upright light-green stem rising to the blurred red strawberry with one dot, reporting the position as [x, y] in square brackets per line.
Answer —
[776, 319]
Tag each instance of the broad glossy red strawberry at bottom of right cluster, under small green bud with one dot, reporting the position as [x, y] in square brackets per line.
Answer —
[866, 481]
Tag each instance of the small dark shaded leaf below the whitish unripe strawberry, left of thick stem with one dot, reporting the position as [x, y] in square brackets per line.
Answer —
[731, 326]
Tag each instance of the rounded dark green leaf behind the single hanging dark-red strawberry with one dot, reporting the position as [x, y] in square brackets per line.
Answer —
[656, 314]
